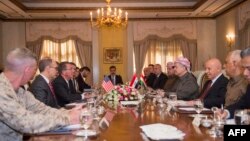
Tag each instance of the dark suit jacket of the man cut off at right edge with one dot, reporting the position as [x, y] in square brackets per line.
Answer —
[243, 103]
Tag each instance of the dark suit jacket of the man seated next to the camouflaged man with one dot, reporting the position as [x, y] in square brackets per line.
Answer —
[41, 90]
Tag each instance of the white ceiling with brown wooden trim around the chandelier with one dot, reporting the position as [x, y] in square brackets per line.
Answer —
[137, 9]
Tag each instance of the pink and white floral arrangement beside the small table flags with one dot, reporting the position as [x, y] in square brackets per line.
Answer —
[122, 93]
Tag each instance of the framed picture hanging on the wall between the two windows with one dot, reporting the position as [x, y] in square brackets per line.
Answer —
[112, 55]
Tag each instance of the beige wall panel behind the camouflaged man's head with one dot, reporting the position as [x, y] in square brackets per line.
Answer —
[13, 36]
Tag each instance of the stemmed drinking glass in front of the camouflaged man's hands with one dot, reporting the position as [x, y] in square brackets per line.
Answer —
[86, 120]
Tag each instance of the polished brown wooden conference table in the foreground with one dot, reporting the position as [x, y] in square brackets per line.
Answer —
[126, 127]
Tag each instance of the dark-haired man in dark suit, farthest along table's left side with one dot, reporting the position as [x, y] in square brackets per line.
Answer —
[84, 72]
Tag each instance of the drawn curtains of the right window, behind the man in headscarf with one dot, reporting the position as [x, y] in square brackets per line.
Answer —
[156, 50]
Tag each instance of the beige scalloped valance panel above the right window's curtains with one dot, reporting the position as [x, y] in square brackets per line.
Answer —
[165, 29]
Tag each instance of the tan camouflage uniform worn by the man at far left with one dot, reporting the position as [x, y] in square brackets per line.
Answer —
[21, 113]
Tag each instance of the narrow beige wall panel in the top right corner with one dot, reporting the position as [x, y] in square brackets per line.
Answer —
[244, 14]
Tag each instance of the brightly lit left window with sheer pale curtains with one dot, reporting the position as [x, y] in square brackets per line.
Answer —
[64, 51]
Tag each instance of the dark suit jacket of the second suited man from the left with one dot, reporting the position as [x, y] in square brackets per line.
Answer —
[63, 93]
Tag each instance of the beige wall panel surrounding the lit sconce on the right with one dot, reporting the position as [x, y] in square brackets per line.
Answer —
[225, 24]
